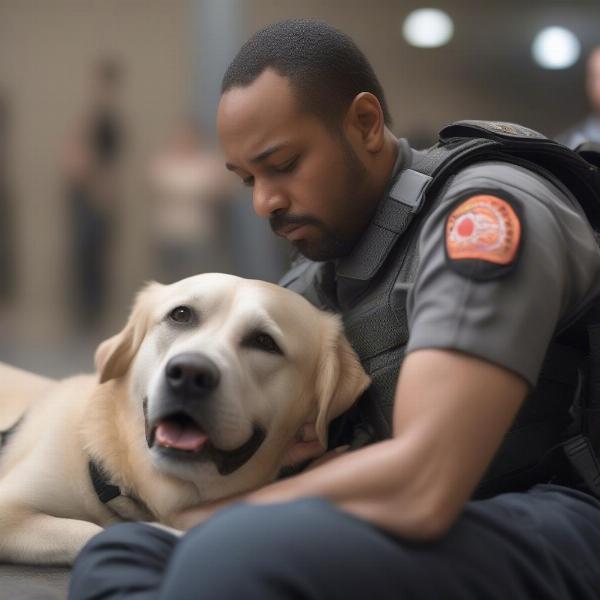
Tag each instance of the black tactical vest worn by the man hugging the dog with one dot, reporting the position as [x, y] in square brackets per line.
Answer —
[369, 289]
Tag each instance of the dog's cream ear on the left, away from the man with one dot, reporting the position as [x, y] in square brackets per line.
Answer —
[115, 354]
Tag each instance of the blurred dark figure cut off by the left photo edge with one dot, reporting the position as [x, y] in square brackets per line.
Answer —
[7, 225]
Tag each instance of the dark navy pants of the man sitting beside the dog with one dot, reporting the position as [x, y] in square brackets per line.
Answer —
[541, 545]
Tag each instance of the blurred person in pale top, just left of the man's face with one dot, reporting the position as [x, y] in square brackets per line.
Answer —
[191, 194]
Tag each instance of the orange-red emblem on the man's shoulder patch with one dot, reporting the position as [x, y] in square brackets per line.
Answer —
[483, 227]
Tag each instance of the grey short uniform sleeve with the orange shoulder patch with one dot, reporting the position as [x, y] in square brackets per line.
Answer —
[501, 304]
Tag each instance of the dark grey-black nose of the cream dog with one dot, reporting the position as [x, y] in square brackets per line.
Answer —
[192, 375]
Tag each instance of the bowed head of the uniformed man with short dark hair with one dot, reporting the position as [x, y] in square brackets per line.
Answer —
[303, 119]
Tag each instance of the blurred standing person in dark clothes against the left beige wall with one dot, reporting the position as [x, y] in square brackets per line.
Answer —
[92, 158]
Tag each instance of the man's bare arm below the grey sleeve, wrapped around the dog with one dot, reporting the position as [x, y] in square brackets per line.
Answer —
[451, 413]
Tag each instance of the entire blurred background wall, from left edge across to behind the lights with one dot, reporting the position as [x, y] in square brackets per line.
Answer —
[173, 52]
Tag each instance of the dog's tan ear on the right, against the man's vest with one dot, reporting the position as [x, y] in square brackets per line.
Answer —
[341, 378]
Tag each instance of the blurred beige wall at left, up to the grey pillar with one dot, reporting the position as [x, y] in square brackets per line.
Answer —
[46, 49]
